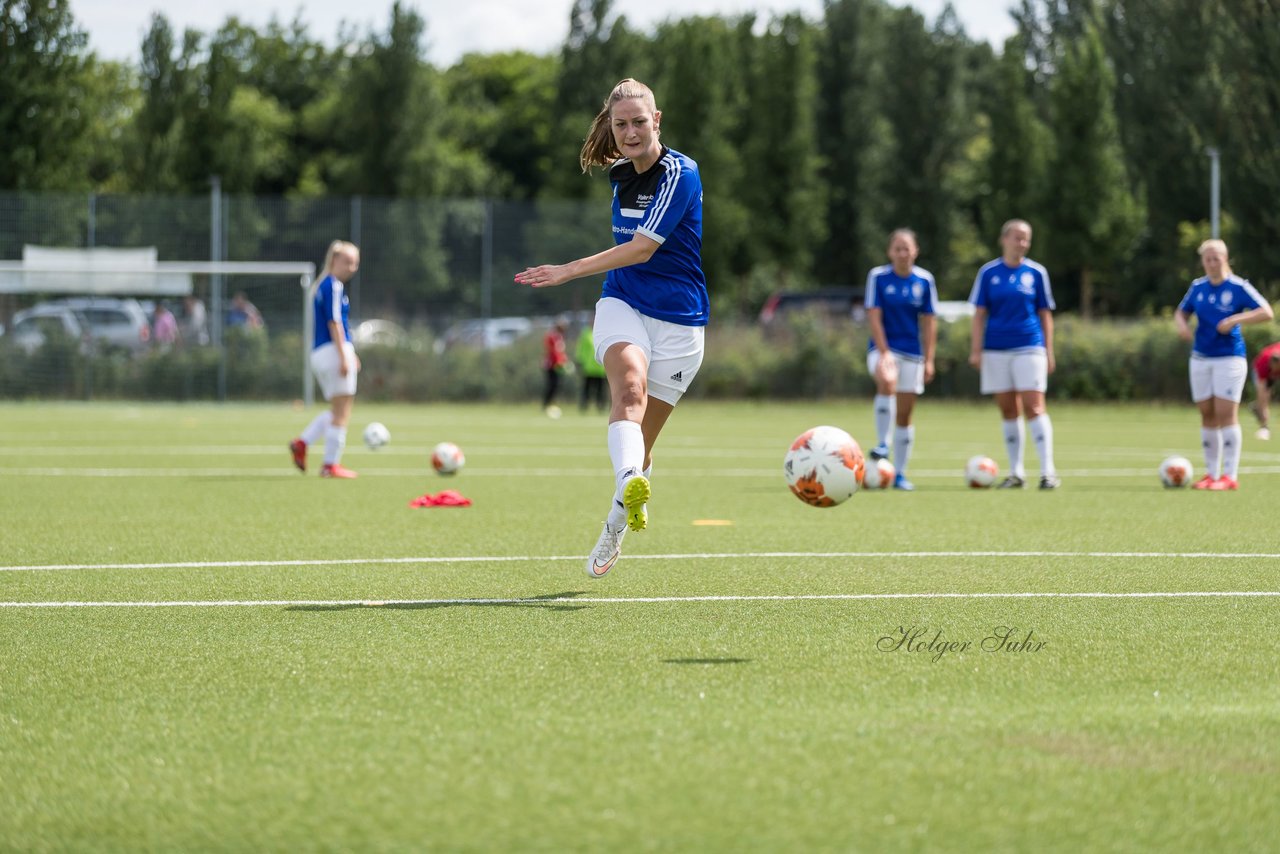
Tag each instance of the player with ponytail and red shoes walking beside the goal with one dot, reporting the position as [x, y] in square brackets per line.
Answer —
[333, 362]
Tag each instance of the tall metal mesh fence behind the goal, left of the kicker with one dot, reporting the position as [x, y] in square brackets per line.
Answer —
[424, 262]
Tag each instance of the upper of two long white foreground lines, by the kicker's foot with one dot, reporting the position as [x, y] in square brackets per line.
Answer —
[552, 559]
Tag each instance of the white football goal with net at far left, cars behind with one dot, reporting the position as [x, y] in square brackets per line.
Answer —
[120, 325]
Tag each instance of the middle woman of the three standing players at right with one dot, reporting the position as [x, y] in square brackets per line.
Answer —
[1013, 348]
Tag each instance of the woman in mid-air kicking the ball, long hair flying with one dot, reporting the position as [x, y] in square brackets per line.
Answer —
[653, 310]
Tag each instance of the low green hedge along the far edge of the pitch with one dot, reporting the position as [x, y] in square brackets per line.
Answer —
[808, 359]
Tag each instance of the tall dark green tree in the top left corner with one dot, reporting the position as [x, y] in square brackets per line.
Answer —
[44, 124]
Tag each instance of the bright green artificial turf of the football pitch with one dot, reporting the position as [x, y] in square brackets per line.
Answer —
[385, 678]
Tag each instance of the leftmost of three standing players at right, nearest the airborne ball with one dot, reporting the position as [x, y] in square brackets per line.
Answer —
[902, 303]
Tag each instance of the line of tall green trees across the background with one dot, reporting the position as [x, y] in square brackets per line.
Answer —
[816, 138]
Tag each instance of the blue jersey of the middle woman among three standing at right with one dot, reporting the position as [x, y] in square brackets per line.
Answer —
[1013, 296]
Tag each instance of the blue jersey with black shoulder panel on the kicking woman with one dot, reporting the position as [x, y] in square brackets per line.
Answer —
[666, 205]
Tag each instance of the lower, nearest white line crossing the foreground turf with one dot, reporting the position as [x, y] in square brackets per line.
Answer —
[587, 601]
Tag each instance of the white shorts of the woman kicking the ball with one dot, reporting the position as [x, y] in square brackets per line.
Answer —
[674, 353]
